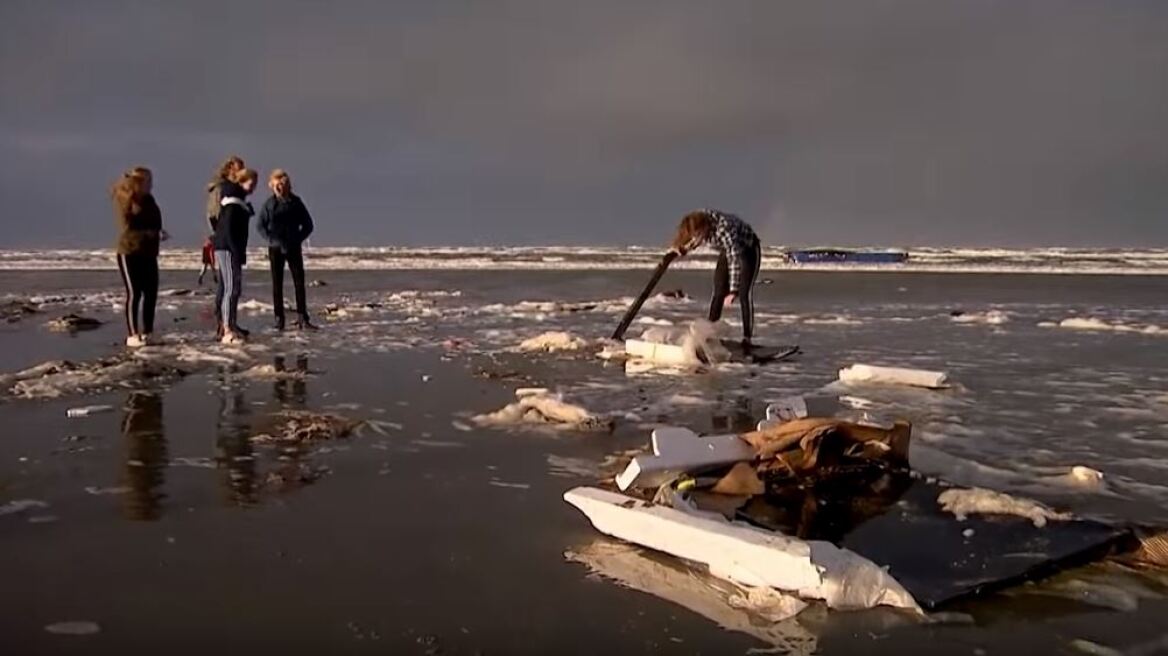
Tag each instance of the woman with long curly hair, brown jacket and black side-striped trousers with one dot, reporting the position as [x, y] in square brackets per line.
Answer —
[140, 234]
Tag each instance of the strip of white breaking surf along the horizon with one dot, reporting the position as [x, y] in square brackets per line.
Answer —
[1141, 262]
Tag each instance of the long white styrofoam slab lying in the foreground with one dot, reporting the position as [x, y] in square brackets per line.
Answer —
[743, 554]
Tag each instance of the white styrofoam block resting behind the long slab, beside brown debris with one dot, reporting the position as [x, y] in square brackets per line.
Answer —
[678, 451]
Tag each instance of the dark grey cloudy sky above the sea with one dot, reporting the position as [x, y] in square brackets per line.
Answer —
[979, 123]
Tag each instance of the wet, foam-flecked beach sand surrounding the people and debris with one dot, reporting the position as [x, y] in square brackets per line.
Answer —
[168, 527]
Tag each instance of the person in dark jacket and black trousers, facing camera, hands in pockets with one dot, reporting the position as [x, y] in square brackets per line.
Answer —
[286, 224]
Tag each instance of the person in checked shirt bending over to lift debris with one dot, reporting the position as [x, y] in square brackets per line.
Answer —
[740, 259]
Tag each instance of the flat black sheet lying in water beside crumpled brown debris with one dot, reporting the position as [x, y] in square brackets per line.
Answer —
[894, 520]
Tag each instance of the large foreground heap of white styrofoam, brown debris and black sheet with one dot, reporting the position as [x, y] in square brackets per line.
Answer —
[822, 508]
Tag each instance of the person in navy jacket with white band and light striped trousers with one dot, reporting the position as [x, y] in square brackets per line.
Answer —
[231, 242]
